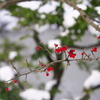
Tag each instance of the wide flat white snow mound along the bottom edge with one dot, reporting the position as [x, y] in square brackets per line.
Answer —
[34, 94]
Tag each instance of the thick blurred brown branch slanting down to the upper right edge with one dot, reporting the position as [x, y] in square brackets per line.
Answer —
[82, 13]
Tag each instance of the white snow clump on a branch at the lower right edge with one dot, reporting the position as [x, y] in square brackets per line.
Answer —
[93, 80]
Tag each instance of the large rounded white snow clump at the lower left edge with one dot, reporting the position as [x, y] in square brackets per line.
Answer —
[6, 73]
